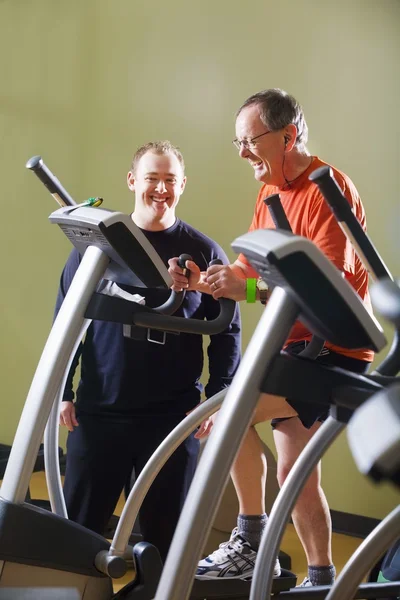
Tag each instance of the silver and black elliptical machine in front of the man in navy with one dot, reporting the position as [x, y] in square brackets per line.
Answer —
[59, 553]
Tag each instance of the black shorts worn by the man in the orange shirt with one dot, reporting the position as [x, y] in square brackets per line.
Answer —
[308, 412]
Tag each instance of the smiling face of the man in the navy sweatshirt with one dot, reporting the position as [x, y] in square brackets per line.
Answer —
[158, 182]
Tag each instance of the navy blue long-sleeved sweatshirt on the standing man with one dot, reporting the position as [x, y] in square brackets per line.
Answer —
[122, 378]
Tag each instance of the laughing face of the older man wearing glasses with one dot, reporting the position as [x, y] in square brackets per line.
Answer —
[265, 155]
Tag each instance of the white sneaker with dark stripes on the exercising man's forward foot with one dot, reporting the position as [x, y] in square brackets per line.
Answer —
[234, 559]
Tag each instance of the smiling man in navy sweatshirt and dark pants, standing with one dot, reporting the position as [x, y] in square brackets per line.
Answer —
[132, 393]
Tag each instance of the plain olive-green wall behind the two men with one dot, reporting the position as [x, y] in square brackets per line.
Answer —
[84, 83]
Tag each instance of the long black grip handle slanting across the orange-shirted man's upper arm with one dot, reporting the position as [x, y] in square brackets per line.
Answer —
[338, 203]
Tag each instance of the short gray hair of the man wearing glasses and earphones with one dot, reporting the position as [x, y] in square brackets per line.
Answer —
[278, 109]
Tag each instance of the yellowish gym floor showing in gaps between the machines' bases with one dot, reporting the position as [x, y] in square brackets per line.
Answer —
[343, 546]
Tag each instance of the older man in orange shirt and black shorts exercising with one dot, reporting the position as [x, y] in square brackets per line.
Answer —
[271, 134]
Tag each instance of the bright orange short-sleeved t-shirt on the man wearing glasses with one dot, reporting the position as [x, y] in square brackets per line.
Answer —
[310, 216]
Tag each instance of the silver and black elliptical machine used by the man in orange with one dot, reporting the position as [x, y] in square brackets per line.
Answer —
[310, 288]
